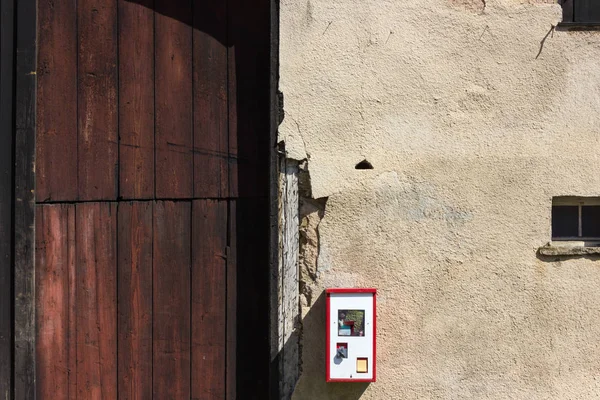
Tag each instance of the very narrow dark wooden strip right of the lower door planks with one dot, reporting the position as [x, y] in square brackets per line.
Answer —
[231, 349]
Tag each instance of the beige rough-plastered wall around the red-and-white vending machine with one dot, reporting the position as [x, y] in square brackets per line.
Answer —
[470, 133]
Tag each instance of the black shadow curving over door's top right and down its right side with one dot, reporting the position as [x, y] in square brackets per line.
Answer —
[243, 27]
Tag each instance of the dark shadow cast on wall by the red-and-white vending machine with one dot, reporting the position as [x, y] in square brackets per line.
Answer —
[312, 383]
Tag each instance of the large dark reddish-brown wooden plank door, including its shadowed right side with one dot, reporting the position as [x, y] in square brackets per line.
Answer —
[152, 212]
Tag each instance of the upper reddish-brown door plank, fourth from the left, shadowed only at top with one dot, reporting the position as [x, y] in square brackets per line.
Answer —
[173, 80]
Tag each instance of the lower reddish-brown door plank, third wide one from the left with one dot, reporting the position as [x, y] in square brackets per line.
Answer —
[135, 300]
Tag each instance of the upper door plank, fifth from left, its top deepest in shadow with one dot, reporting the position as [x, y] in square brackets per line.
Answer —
[211, 155]
